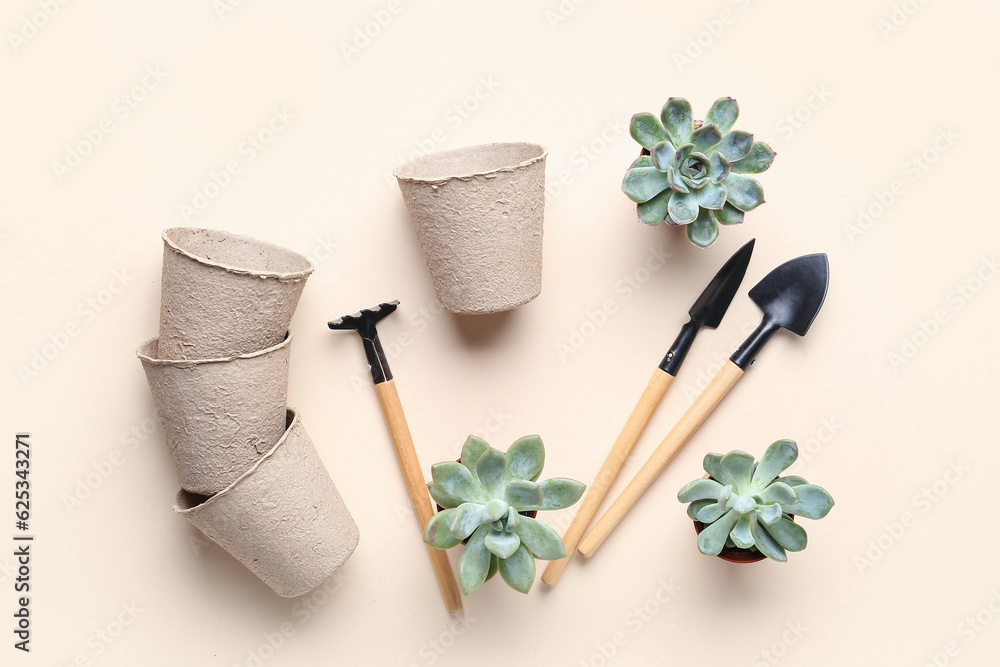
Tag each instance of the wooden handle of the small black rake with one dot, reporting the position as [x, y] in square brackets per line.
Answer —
[417, 488]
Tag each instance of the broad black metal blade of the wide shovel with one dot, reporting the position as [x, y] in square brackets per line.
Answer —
[792, 295]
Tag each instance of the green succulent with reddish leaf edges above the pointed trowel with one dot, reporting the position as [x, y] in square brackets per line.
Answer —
[695, 173]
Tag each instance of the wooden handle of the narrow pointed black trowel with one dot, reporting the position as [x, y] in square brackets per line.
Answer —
[620, 451]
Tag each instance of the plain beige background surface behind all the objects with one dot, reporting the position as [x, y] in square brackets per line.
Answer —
[880, 106]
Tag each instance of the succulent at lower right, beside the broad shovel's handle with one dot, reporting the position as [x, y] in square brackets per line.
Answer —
[745, 505]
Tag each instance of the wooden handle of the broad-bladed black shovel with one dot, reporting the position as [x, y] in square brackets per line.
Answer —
[679, 434]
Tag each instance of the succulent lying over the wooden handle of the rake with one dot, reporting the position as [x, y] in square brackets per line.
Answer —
[485, 497]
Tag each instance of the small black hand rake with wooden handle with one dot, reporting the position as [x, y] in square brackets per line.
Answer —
[364, 323]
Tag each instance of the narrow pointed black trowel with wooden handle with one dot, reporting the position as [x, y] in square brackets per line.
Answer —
[707, 311]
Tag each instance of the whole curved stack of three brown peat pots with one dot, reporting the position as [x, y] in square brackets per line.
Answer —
[250, 477]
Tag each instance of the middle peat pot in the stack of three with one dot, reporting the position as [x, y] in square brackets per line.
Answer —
[219, 416]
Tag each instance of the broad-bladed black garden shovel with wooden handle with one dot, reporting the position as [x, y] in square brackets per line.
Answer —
[790, 296]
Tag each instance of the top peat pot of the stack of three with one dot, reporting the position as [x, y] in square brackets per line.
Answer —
[225, 294]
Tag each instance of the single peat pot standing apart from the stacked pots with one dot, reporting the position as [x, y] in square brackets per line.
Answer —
[477, 214]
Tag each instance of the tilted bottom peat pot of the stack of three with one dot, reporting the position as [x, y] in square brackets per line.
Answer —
[283, 519]
